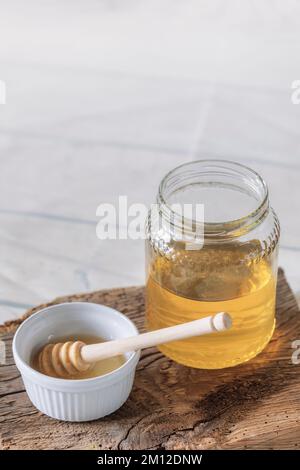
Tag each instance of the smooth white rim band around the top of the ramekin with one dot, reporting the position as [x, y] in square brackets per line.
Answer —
[74, 384]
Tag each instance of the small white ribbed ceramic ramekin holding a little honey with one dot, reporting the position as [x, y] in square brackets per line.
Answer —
[75, 400]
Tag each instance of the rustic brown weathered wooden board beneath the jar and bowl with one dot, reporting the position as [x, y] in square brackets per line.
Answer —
[253, 406]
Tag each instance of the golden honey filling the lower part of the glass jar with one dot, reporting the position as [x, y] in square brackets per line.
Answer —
[192, 285]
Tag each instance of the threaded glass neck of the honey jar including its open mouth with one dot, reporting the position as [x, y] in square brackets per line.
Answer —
[218, 185]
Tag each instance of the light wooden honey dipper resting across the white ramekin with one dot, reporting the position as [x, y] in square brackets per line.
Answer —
[70, 358]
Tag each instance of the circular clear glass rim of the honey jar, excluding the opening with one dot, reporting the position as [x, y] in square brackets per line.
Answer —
[230, 227]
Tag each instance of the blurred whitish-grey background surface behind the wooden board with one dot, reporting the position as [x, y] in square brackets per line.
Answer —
[104, 97]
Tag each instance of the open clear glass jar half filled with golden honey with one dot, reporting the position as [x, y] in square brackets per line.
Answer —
[226, 262]
